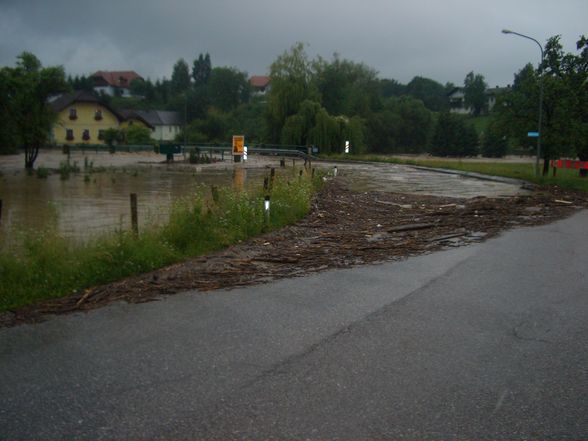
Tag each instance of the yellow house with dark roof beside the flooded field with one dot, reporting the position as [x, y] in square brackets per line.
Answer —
[83, 118]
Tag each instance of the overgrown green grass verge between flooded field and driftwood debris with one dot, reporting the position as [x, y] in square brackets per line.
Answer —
[43, 265]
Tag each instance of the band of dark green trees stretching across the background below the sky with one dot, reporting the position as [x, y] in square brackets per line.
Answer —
[324, 103]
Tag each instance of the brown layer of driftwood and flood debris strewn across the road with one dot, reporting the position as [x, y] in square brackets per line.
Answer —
[344, 229]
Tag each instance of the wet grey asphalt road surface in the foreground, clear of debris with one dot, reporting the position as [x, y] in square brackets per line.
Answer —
[485, 342]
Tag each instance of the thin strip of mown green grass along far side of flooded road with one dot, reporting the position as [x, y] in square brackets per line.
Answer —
[566, 178]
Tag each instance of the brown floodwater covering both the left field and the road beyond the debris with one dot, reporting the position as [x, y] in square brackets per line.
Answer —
[89, 204]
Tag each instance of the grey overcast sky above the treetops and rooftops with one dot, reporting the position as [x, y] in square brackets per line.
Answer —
[439, 39]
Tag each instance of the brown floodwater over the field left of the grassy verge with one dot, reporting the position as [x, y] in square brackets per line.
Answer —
[97, 200]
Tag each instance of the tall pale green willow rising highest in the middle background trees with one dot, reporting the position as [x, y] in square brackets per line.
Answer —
[292, 83]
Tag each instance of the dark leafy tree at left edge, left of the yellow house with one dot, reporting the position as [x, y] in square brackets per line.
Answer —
[24, 103]
